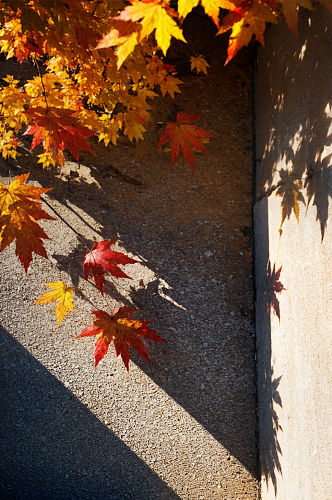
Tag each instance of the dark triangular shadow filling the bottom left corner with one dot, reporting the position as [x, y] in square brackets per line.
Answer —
[53, 447]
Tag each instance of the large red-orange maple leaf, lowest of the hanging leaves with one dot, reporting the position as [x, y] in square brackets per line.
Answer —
[117, 327]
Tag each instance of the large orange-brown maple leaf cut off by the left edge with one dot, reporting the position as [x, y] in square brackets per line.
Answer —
[20, 208]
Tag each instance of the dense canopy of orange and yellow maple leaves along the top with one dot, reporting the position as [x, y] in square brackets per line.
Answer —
[99, 63]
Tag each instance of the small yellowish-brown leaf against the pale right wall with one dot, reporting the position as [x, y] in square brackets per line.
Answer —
[289, 190]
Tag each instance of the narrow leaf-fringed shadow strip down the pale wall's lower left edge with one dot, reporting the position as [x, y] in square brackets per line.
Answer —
[267, 285]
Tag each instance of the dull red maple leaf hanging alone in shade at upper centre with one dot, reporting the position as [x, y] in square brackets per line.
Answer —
[185, 136]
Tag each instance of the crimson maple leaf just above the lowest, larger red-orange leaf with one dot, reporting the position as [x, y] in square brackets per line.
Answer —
[103, 258]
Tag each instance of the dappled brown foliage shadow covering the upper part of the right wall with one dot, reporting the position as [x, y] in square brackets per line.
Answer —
[294, 153]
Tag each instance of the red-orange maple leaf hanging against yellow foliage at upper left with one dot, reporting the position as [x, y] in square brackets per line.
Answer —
[57, 129]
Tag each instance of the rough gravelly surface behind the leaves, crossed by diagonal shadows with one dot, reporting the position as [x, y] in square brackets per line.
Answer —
[183, 427]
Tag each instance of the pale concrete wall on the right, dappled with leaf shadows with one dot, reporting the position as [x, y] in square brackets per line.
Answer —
[294, 152]
